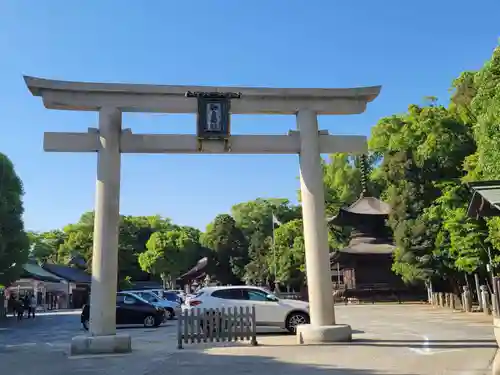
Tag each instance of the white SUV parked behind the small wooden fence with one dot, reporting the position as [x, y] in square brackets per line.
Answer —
[269, 309]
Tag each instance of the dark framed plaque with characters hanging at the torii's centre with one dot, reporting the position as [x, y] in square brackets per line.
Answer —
[214, 117]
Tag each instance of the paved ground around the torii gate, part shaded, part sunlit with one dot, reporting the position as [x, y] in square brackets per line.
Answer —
[389, 339]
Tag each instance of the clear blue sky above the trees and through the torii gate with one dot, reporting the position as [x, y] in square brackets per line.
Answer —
[413, 49]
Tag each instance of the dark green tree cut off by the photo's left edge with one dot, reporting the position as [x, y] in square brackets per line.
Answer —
[14, 242]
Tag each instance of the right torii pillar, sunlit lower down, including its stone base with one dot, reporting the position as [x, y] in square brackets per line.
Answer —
[318, 272]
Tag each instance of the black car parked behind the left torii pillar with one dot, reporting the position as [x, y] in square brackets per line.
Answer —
[130, 310]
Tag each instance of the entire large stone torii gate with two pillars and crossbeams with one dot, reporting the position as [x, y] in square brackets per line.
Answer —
[214, 106]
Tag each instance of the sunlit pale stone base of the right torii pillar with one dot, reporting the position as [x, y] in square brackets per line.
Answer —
[309, 334]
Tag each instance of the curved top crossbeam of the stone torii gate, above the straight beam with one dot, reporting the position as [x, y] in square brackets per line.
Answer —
[85, 96]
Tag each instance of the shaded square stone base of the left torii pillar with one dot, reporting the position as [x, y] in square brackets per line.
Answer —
[114, 344]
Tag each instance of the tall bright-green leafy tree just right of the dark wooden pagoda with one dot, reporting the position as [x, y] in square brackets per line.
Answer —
[419, 148]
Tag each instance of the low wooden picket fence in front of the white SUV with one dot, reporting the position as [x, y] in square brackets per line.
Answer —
[216, 325]
